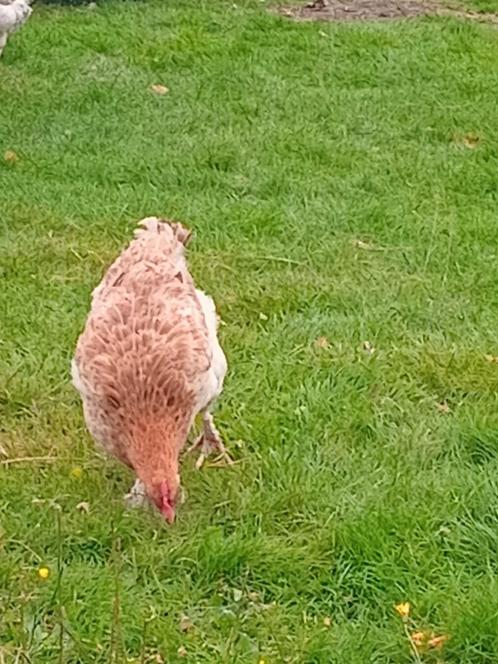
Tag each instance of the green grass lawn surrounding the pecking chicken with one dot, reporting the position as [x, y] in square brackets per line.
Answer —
[337, 188]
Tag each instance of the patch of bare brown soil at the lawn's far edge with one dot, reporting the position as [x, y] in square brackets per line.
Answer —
[354, 10]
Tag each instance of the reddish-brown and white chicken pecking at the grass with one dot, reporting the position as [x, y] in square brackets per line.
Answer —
[148, 361]
